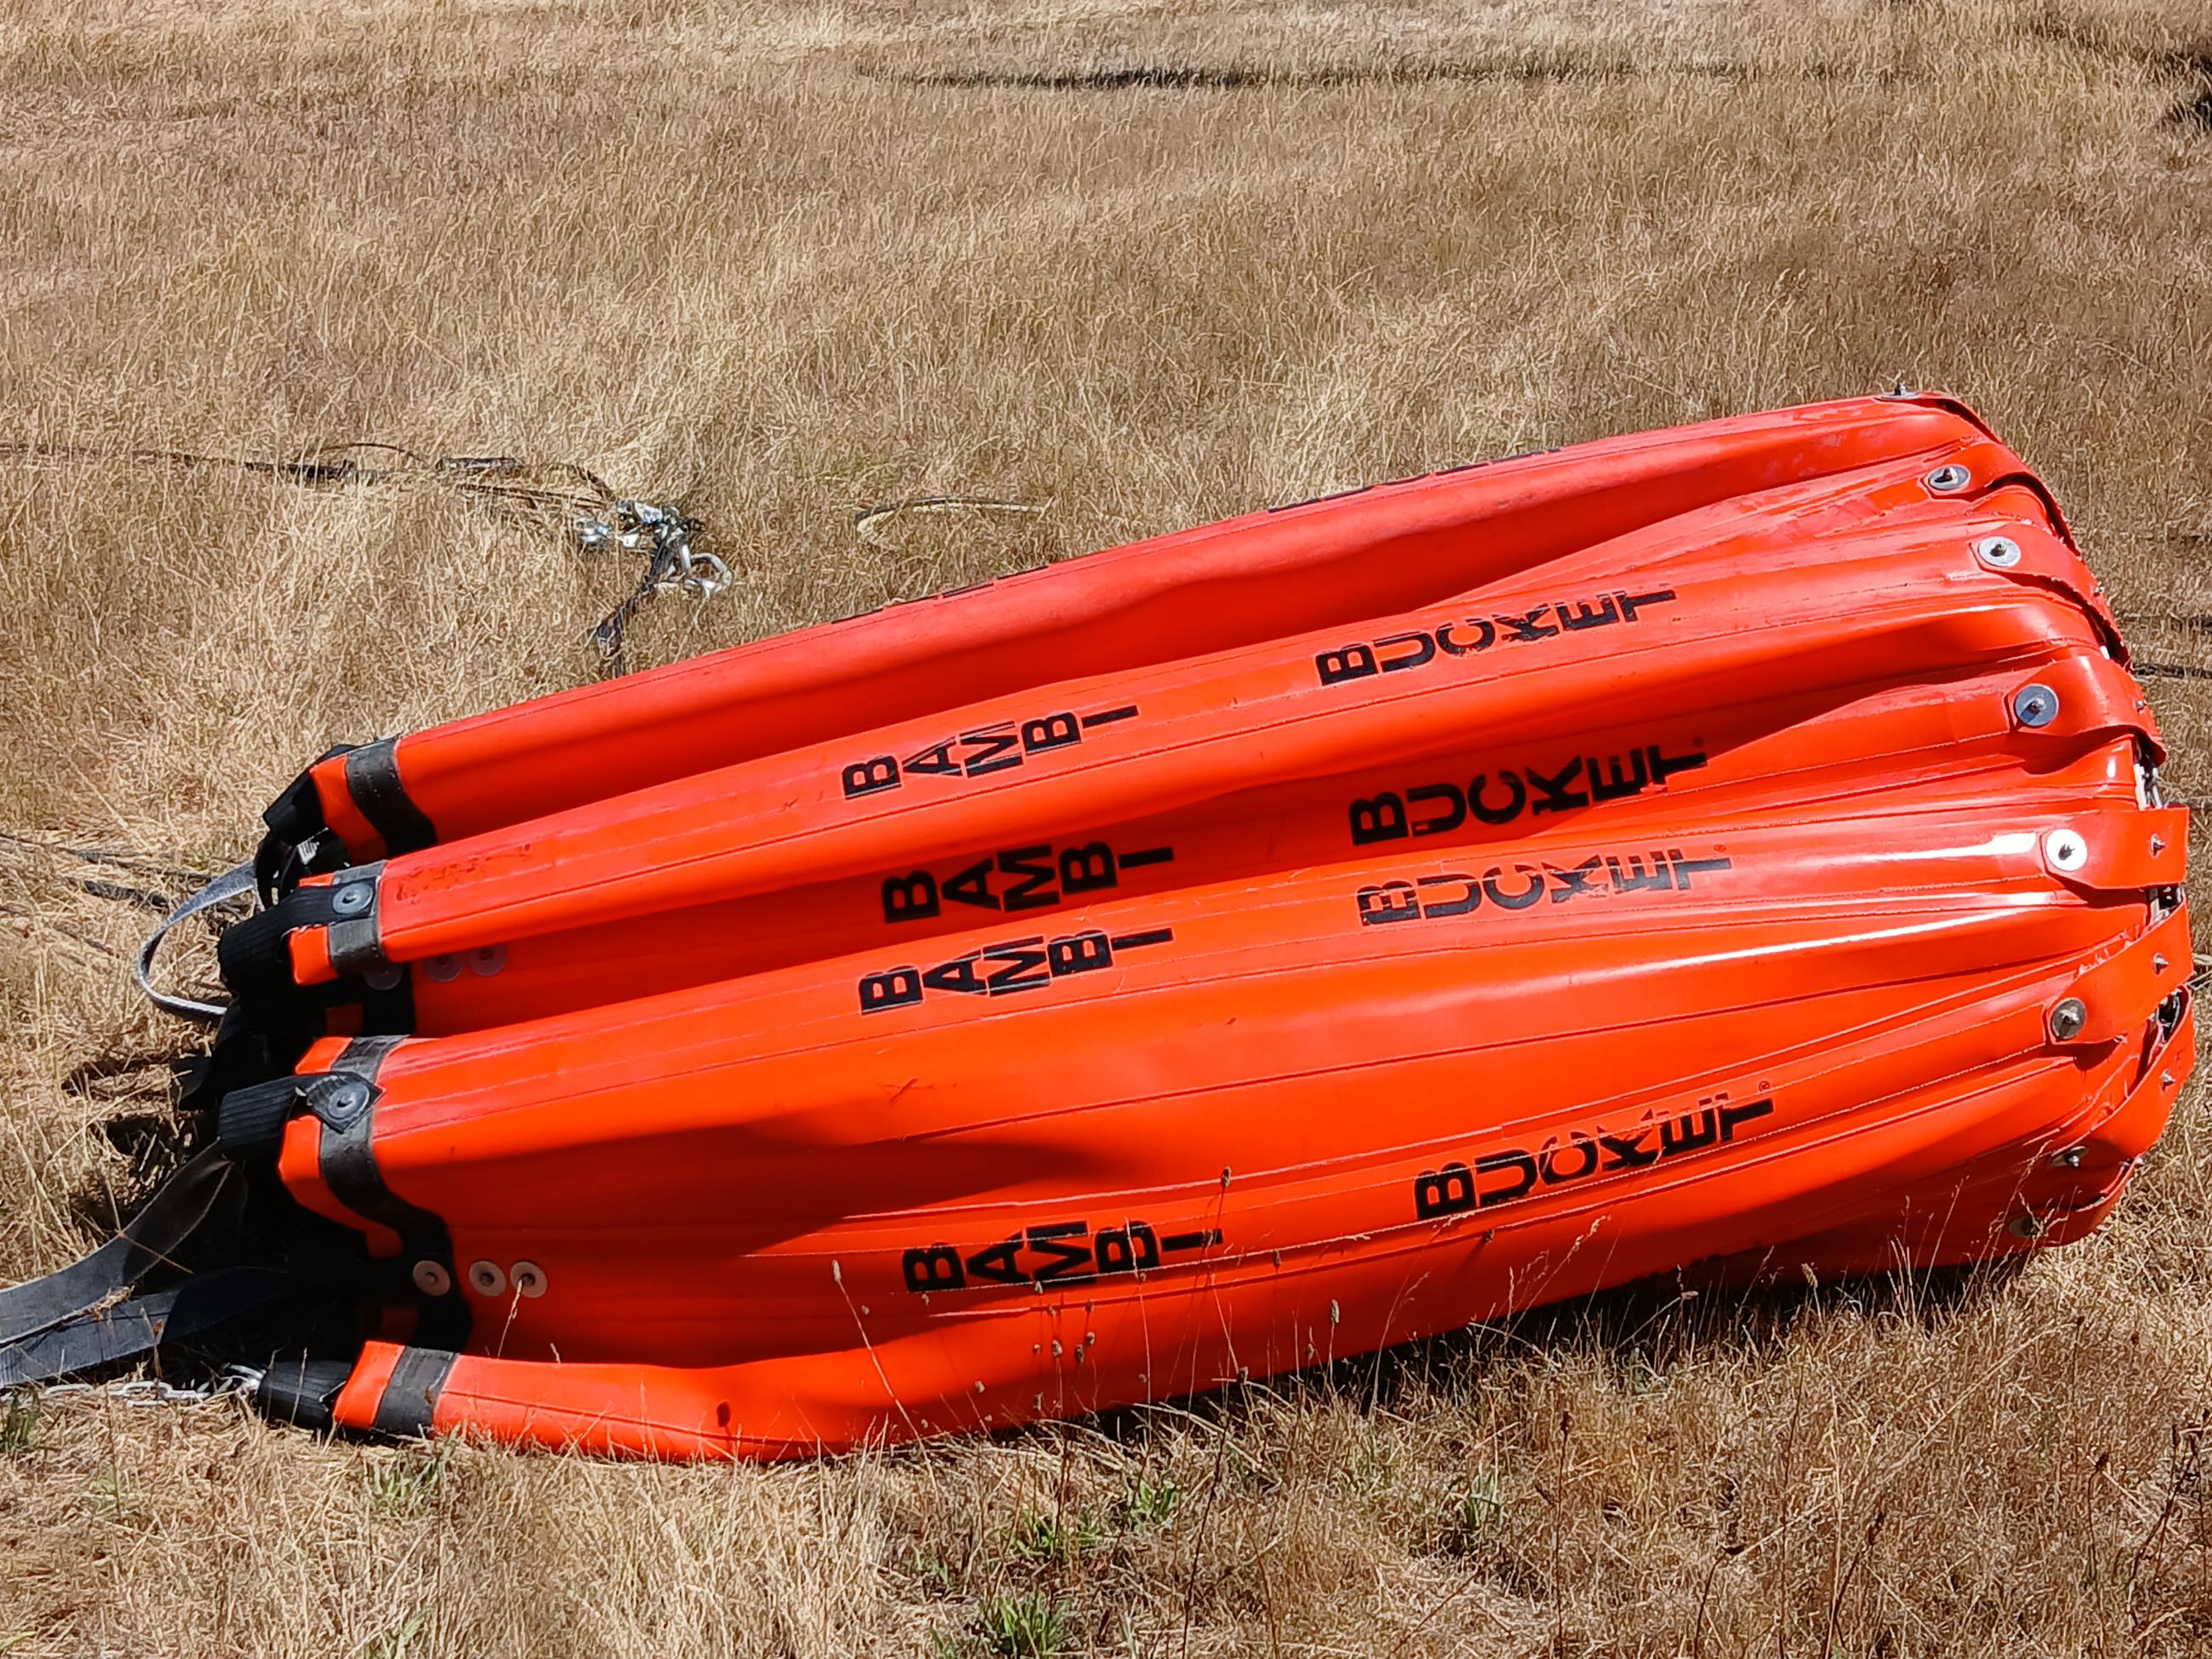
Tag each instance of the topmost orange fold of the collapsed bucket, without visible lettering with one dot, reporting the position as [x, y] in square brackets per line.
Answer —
[1218, 587]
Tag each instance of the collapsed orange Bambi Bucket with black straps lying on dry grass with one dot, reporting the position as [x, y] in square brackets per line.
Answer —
[1207, 959]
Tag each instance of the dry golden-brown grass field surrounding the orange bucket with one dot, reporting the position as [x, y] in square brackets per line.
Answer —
[1136, 264]
